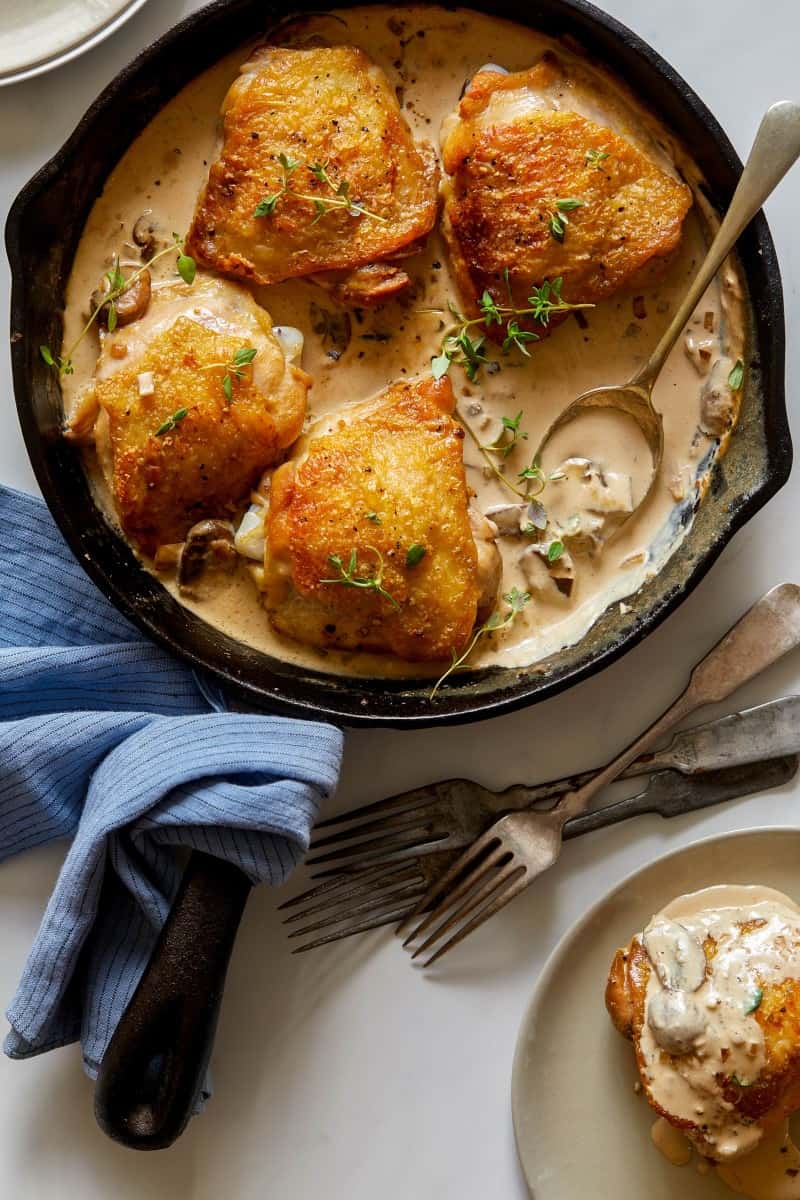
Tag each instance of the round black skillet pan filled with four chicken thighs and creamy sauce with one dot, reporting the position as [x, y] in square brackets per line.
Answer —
[321, 302]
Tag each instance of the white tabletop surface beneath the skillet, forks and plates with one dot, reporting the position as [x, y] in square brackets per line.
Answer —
[346, 1075]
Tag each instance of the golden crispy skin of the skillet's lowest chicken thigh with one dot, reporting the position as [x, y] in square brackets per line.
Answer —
[382, 497]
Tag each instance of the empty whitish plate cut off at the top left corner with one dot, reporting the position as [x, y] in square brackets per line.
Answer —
[39, 35]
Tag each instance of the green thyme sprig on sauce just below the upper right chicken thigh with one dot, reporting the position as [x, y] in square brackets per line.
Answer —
[460, 346]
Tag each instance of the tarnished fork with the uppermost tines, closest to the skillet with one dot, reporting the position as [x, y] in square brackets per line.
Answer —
[450, 814]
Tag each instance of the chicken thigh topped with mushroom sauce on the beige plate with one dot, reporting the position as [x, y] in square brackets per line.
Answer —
[719, 1055]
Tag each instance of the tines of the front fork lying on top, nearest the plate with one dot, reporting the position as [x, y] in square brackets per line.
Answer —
[477, 886]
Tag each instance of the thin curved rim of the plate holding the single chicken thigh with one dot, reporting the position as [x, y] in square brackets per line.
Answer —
[561, 949]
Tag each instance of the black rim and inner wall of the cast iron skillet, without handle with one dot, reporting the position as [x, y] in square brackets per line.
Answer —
[44, 231]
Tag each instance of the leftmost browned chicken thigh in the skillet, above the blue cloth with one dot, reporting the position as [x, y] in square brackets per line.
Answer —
[175, 446]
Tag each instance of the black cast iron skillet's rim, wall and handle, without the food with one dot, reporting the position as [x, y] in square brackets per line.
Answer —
[155, 1065]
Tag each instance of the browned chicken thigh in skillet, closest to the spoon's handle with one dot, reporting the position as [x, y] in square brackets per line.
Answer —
[537, 190]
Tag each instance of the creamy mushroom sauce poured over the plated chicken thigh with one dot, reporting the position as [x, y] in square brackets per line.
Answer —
[705, 1018]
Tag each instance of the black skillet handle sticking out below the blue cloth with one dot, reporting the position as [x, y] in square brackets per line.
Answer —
[157, 1061]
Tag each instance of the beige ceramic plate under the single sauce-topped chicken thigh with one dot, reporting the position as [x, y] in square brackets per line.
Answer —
[582, 1132]
